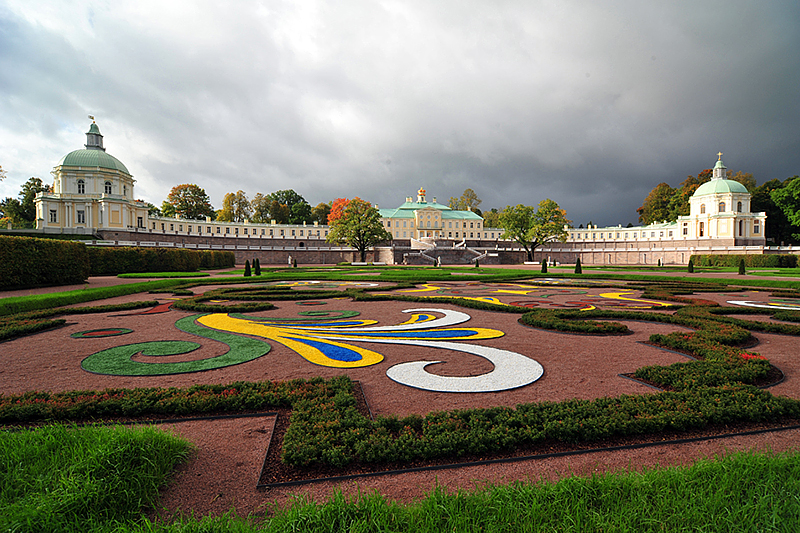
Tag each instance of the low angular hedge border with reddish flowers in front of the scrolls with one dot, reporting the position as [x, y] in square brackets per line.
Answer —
[720, 387]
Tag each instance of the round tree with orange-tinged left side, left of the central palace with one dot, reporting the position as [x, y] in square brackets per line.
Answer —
[359, 225]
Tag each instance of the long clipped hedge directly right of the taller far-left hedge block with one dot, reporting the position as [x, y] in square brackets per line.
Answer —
[126, 259]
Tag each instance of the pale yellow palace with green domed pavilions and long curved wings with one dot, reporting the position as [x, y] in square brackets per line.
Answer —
[93, 193]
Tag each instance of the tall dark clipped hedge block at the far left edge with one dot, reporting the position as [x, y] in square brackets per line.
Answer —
[27, 262]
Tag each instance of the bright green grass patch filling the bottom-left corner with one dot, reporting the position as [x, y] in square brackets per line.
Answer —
[62, 478]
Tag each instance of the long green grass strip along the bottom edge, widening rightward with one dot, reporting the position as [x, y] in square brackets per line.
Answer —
[740, 492]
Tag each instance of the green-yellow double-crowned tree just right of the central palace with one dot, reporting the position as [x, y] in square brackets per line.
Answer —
[531, 227]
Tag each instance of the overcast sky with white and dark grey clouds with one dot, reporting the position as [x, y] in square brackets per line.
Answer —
[591, 104]
